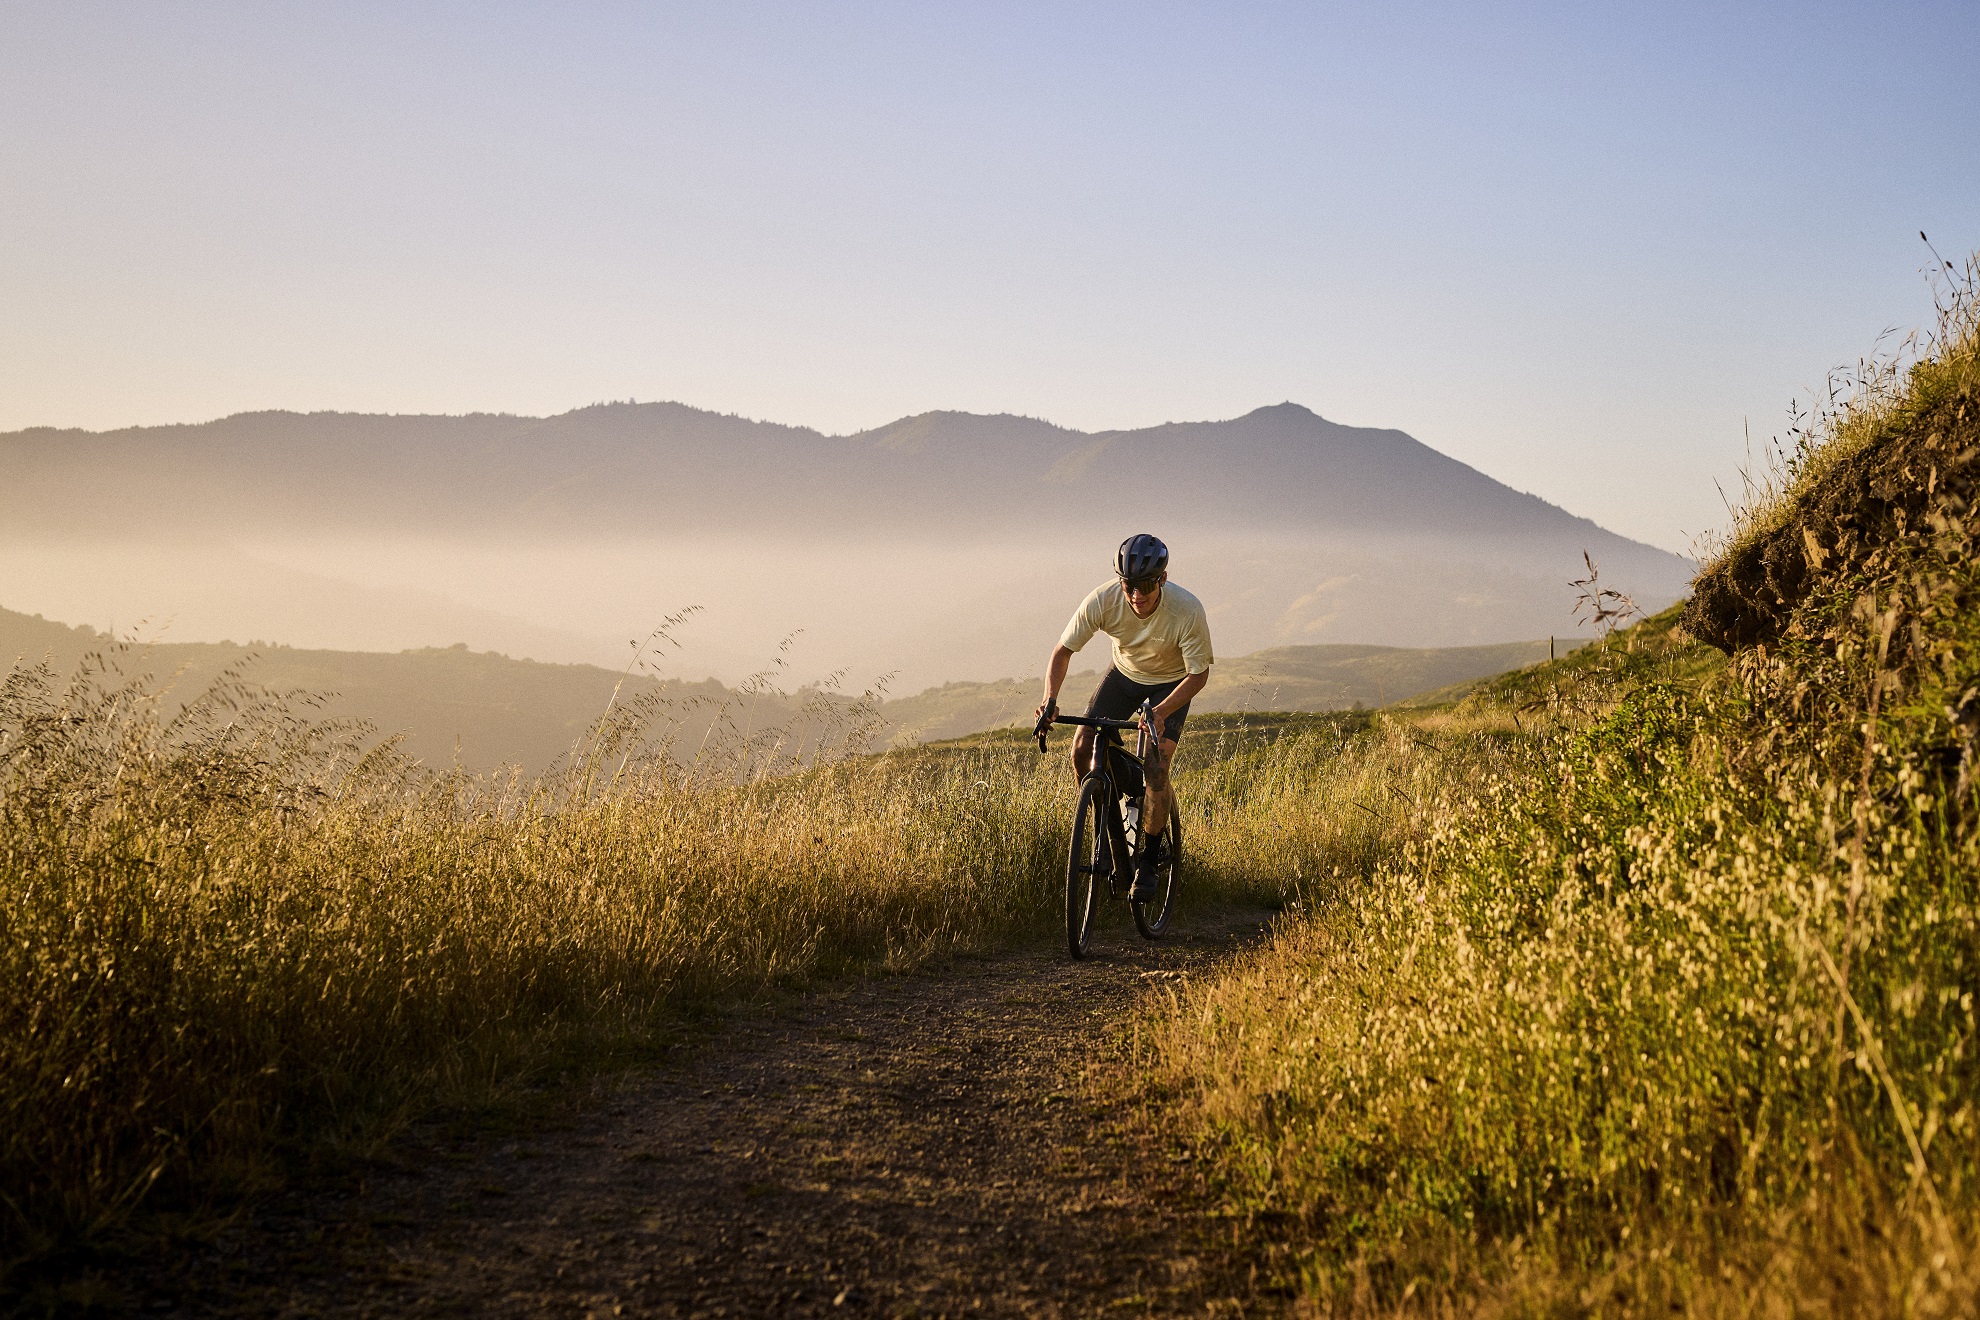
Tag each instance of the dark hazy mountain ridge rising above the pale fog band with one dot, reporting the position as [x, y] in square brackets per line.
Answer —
[668, 468]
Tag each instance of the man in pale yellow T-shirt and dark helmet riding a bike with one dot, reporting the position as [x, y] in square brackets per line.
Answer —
[1161, 650]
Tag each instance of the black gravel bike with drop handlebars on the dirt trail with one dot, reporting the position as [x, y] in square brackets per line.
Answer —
[1108, 836]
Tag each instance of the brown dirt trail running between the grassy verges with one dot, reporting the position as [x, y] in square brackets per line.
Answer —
[906, 1147]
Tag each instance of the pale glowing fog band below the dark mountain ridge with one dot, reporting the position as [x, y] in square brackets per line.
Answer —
[928, 613]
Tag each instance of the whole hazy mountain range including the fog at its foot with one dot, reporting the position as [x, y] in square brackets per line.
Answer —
[941, 547]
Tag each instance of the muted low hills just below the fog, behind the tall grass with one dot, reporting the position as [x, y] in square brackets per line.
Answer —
[480, 711]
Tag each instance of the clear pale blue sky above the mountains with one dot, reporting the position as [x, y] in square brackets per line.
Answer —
[1573, 244]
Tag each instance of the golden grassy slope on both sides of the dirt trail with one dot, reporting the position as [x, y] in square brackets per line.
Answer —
[1633, 983]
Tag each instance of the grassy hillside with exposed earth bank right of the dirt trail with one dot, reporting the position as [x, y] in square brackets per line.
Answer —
[1642, 983]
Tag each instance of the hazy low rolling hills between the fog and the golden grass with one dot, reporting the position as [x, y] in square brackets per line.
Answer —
[480, 711]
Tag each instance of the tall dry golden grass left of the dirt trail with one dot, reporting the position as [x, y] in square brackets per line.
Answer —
[235, 941]
